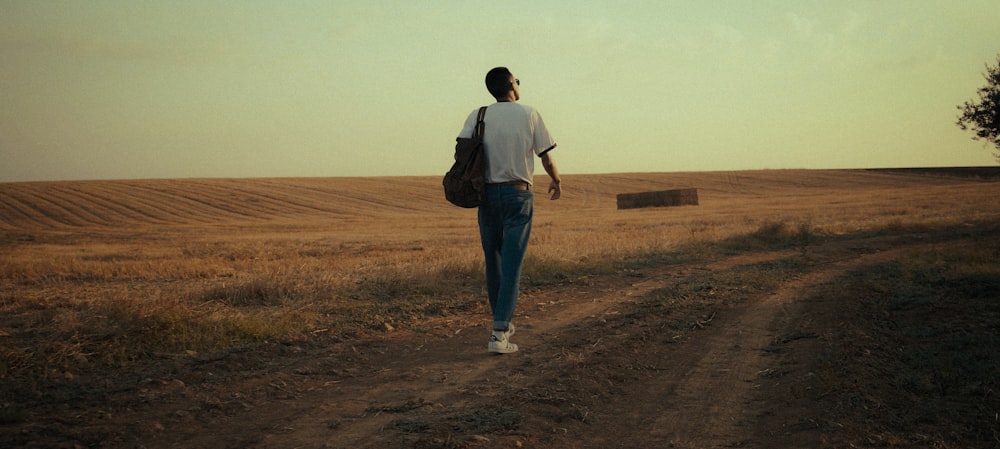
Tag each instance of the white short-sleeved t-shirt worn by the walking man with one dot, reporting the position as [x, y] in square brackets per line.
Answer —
[515, 134]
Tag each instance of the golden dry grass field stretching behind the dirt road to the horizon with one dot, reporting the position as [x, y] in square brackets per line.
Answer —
[113, 272]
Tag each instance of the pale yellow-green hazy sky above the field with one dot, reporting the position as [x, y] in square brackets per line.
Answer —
[179, 89]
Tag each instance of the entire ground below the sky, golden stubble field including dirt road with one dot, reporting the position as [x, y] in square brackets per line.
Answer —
[792, 308]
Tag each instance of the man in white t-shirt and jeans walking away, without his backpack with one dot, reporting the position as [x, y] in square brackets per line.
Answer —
[514, 134]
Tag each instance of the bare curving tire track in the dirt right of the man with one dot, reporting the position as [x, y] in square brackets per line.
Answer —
[712, 400]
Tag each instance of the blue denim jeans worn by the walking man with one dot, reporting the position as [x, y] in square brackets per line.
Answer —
[504, 228]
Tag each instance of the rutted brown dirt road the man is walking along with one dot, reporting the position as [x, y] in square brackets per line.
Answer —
[684, 355]
